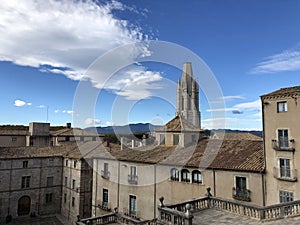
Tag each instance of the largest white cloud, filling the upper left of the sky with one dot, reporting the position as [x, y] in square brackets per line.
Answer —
[65, 37]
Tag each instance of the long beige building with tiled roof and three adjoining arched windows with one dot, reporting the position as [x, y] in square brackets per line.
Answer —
[133, 180]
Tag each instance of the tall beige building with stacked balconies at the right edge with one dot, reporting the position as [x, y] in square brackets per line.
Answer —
[281, 125]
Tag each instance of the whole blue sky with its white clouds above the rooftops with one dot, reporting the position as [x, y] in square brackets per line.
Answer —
[46, 48]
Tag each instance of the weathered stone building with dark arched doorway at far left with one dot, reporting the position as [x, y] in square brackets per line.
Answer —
[31, 181]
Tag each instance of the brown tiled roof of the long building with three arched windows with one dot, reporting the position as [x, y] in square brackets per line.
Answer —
[243, 155]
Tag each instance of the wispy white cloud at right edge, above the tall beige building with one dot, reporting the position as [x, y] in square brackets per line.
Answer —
[288, 60]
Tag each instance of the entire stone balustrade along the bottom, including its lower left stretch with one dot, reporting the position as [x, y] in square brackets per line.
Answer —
[182, 213]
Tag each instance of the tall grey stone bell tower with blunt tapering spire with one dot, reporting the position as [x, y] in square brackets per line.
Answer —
[188, 96]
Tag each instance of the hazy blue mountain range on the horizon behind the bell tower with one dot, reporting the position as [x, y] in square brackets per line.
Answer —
[148, 127]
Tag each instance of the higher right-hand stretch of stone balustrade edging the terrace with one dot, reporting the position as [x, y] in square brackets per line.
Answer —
[169, 213]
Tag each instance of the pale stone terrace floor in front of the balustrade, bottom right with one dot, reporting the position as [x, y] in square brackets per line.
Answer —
[212, 217]
